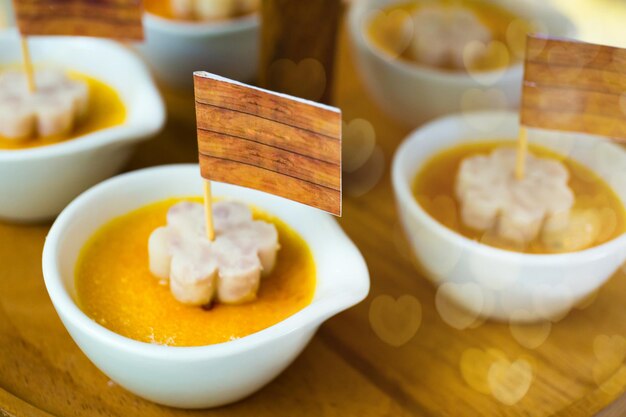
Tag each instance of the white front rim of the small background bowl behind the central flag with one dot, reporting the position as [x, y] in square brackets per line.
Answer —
[200, 28]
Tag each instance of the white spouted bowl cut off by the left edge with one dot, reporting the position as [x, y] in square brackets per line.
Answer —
[36, 183]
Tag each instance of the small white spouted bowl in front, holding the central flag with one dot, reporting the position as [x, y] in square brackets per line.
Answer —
[207, 376]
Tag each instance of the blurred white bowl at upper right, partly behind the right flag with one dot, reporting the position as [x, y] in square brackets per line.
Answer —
[413, 94]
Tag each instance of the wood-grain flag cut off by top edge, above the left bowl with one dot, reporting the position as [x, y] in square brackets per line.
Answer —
[117, 19]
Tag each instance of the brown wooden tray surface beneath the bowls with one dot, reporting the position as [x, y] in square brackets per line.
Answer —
[347, 369]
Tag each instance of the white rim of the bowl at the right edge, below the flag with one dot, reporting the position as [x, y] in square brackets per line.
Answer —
[404, 193]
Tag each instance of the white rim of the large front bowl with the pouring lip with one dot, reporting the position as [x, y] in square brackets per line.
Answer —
[311, 315]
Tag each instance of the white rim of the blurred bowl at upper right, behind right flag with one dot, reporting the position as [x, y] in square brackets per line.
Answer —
[359, 12]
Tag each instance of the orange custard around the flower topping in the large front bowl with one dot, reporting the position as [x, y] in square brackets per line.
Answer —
[116, 289]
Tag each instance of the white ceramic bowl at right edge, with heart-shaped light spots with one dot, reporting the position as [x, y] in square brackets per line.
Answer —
[493, 282]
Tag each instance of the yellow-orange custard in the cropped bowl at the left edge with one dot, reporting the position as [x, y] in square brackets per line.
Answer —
[106, 109]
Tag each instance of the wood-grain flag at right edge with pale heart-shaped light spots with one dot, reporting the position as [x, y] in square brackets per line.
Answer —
[575, 86]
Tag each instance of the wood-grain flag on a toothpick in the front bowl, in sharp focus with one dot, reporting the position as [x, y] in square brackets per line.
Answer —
[269, 141]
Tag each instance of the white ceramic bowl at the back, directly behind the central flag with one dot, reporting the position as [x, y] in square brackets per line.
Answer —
[175, 49]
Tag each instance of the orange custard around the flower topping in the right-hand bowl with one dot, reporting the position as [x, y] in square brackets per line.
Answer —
[433, 189]
